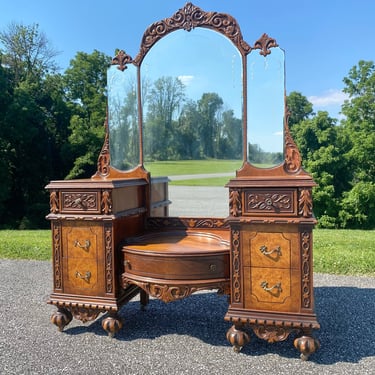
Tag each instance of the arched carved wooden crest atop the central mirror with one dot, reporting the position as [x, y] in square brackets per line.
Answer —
[187, 18]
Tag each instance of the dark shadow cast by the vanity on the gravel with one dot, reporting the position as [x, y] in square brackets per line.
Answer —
[346, 316]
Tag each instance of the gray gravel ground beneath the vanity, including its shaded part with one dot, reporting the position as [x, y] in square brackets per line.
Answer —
[184, 337]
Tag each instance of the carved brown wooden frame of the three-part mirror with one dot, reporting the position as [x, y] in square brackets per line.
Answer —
[188, 18]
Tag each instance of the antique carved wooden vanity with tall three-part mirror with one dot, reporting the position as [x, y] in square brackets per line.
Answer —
[113, 237]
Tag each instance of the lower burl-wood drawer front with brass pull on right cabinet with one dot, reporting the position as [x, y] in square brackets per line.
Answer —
[272, 289]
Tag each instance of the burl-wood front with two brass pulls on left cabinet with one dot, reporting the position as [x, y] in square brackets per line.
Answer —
[83, 248]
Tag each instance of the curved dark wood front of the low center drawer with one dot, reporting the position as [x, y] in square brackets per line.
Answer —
[177, 267]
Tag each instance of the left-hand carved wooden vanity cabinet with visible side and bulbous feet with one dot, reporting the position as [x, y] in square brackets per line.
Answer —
[89, 219]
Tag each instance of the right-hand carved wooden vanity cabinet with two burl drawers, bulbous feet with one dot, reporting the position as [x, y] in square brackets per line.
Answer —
[271, 261]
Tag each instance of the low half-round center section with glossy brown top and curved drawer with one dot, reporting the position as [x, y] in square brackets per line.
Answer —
[177, 256]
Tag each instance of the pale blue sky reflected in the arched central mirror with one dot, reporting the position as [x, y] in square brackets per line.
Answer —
[204, 61]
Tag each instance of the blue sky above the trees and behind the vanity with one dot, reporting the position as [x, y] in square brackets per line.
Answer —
[323, 39]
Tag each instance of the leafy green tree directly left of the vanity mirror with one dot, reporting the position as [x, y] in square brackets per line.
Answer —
[85, 85]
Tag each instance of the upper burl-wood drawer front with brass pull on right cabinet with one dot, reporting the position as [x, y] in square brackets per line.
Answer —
[274, 250]
